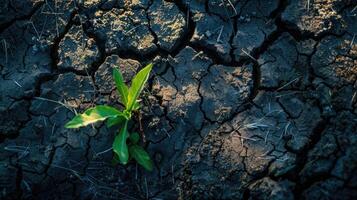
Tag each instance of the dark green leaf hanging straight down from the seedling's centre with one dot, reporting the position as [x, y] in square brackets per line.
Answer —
[119, 145]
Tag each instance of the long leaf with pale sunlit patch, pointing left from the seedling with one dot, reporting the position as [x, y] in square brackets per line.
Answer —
[92, 115]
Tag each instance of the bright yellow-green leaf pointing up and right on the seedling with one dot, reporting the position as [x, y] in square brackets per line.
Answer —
[137, 85]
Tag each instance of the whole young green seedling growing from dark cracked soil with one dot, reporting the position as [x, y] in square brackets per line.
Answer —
[123, 148]
